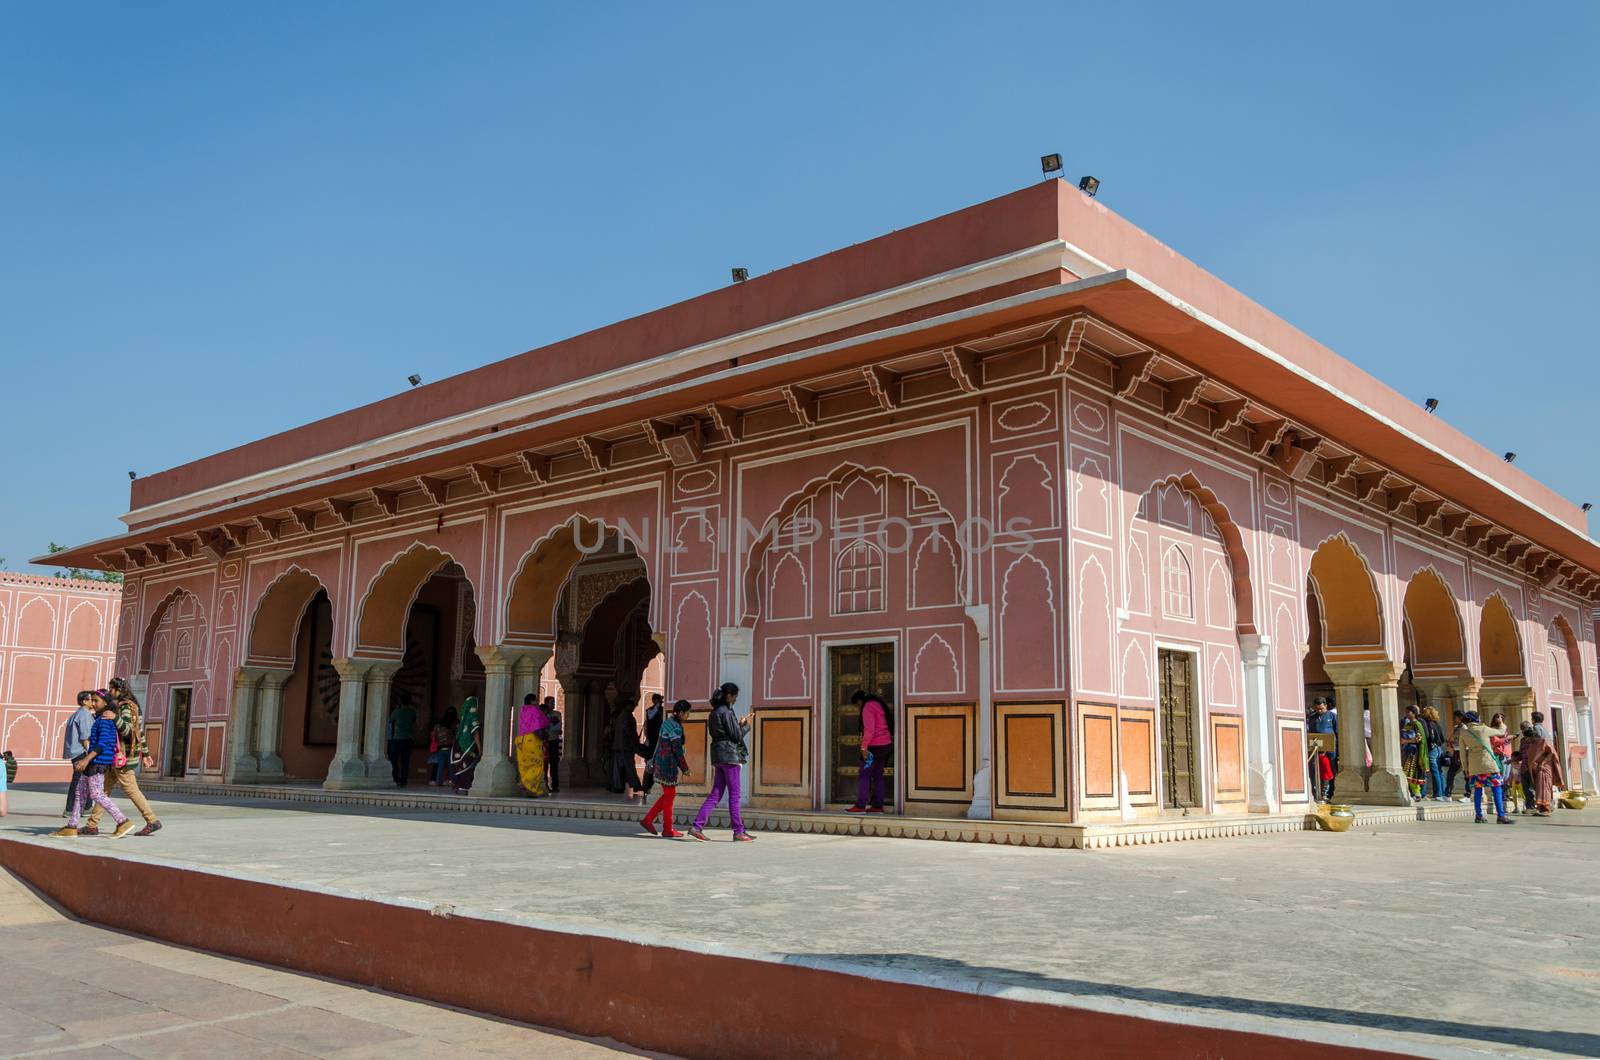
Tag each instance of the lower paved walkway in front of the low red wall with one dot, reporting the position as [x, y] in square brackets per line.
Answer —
[74, 990]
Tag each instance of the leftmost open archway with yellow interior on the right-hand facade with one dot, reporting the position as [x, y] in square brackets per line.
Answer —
[1348, 652]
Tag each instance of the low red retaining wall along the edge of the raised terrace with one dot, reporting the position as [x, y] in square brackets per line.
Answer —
[652, 997]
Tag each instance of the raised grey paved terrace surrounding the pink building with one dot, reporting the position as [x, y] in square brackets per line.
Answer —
[1450, 938]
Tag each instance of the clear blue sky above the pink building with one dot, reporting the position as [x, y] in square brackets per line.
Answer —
[218, 222]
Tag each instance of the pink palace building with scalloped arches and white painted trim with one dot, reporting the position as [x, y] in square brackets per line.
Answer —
[1098, 524]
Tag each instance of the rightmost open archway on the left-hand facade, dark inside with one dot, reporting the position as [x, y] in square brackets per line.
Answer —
[578, 628]
